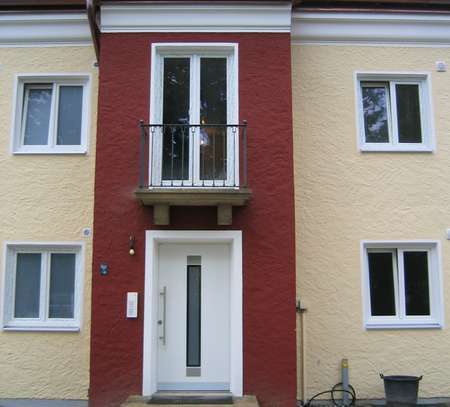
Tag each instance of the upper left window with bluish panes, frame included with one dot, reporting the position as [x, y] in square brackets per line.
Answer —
[51, 115]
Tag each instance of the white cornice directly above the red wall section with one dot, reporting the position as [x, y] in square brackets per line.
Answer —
[271, 17]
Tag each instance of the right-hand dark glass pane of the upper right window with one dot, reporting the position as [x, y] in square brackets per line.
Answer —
[408, 113]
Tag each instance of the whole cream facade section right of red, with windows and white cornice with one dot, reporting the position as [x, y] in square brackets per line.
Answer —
[370, 95]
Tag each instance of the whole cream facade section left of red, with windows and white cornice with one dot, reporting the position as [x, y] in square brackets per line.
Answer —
[48, 118]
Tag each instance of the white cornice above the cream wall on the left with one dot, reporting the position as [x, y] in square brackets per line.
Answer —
[44, 29]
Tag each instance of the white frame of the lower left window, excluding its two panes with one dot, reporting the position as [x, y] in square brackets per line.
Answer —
[43, 323]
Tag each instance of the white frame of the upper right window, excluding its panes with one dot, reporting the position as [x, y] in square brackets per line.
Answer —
[423, 80]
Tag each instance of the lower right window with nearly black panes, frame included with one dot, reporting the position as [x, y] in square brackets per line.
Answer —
[402, 285]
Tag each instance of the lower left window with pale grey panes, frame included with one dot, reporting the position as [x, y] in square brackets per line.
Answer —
[43, 287]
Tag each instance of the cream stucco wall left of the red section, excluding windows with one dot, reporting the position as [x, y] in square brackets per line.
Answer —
[46, 198]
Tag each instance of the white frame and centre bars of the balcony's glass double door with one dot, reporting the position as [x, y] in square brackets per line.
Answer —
[194, 51]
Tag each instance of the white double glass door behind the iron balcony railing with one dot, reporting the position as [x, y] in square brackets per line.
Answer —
[194, 102]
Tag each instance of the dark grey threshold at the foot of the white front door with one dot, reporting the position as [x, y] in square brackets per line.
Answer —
[191, 397]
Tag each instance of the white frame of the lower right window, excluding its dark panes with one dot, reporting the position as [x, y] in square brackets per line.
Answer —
[400, 320]
